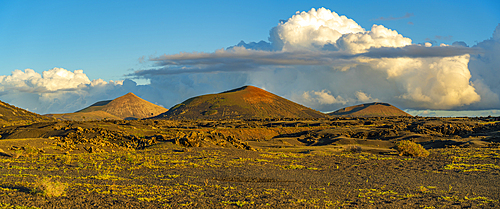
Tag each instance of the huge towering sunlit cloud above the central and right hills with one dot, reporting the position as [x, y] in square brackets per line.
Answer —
[324, 60]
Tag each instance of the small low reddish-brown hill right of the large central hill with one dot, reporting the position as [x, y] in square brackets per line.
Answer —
[376, 109]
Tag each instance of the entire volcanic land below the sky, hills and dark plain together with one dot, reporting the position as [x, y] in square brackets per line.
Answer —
[246, 148]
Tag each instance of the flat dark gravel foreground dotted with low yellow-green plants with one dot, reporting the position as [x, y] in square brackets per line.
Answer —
[169, 176]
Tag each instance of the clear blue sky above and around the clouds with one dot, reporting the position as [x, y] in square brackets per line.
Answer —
[107, 39]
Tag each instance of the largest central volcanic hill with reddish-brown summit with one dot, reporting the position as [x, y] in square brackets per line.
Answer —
[246, 102]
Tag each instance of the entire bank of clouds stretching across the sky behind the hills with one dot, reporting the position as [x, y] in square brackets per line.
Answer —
[317, 58]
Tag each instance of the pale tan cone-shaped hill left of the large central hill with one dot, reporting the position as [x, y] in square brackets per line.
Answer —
[128, 106]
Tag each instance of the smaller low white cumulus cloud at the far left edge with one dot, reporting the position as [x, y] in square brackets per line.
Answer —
[55, 90]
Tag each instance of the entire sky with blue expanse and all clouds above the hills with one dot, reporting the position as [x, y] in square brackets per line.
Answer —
[434, 58]
